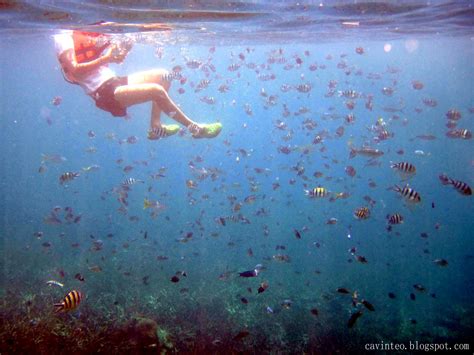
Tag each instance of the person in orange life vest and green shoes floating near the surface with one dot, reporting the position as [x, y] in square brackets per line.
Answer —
[85, 59]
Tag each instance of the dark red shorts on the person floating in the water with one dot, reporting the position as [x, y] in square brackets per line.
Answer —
[105, 98]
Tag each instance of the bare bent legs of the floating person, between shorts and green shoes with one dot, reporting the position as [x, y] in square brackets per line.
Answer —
[150, 86]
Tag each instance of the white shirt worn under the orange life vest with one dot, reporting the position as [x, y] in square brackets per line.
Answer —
[90, 82]
